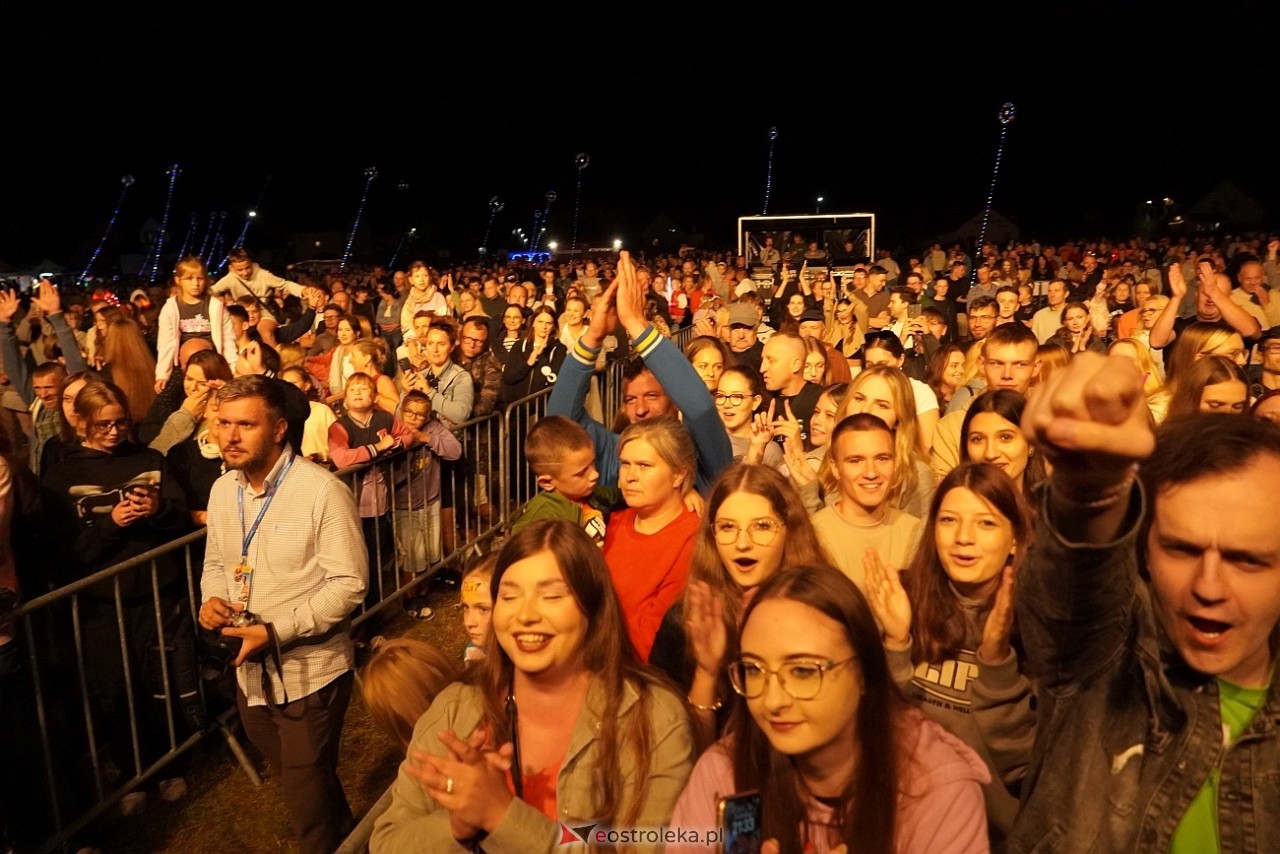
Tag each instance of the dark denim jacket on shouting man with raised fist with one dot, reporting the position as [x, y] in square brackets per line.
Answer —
[1128, 733]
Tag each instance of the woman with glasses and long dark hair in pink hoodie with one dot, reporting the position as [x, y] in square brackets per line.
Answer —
[842, 762]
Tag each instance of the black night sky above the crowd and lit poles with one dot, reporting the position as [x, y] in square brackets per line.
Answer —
[892, 112]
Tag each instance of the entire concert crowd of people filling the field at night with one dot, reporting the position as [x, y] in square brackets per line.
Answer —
[944, 554]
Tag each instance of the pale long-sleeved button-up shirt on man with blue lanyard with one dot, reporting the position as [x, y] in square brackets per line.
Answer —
[310, 572]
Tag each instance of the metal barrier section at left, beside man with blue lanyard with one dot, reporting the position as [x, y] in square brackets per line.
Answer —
[116, 686]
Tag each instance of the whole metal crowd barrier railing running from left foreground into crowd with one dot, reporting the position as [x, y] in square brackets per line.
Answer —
[115, 683]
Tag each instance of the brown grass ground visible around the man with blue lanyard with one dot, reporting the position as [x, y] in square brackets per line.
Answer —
[225, 812]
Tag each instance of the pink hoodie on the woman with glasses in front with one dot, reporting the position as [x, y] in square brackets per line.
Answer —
[940, 801]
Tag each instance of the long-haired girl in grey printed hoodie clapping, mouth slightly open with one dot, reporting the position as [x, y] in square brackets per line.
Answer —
[949, 627]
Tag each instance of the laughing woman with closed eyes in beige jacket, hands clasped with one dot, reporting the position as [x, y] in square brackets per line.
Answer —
[561, 723]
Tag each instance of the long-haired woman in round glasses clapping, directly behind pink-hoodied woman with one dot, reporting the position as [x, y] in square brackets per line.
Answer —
[753, 519]
